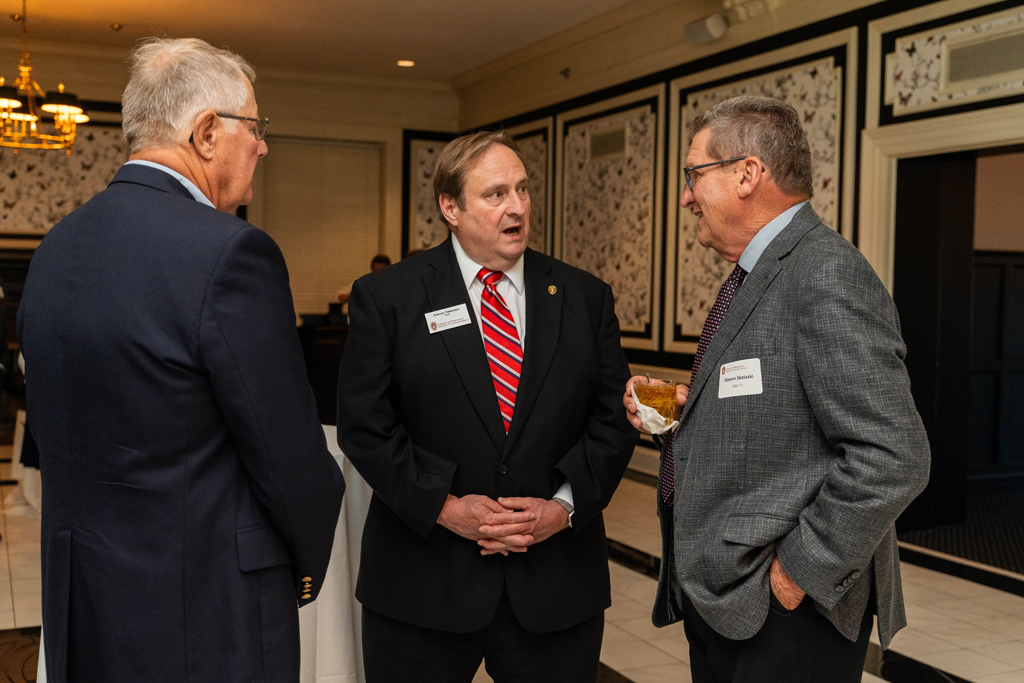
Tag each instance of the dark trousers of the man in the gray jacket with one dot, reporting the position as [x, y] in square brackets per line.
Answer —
[797, 647]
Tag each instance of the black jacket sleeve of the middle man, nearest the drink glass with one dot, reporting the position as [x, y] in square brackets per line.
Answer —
[596, 462]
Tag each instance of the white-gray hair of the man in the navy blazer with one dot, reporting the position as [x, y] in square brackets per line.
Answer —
[173, 81]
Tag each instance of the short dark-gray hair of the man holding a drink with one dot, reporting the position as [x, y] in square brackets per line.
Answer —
[762, 127]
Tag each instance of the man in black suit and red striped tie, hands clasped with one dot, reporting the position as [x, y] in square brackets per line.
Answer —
[480, 399]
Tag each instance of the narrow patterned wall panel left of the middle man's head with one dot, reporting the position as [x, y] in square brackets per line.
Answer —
[424, 229]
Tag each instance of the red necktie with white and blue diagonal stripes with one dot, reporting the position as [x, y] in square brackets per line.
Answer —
[501, 340]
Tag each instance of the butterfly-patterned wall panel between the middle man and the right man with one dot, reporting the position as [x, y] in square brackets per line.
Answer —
[612, 201]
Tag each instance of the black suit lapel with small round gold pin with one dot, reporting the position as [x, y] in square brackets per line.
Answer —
[544, 313]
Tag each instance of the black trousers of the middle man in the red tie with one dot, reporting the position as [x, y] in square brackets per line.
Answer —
[396, 652]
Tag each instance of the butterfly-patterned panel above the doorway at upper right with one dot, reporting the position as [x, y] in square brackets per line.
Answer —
[917, 72]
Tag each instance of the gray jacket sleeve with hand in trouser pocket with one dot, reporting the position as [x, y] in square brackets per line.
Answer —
[850, 360]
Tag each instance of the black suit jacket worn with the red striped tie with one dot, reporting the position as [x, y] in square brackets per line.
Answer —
[418, 417]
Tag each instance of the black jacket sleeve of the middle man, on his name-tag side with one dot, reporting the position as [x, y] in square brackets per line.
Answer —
[413, 482]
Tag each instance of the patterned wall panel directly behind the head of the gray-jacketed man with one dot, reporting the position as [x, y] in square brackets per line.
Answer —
[817, 90]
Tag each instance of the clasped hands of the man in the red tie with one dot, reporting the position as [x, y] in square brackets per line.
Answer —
[506, 526]
